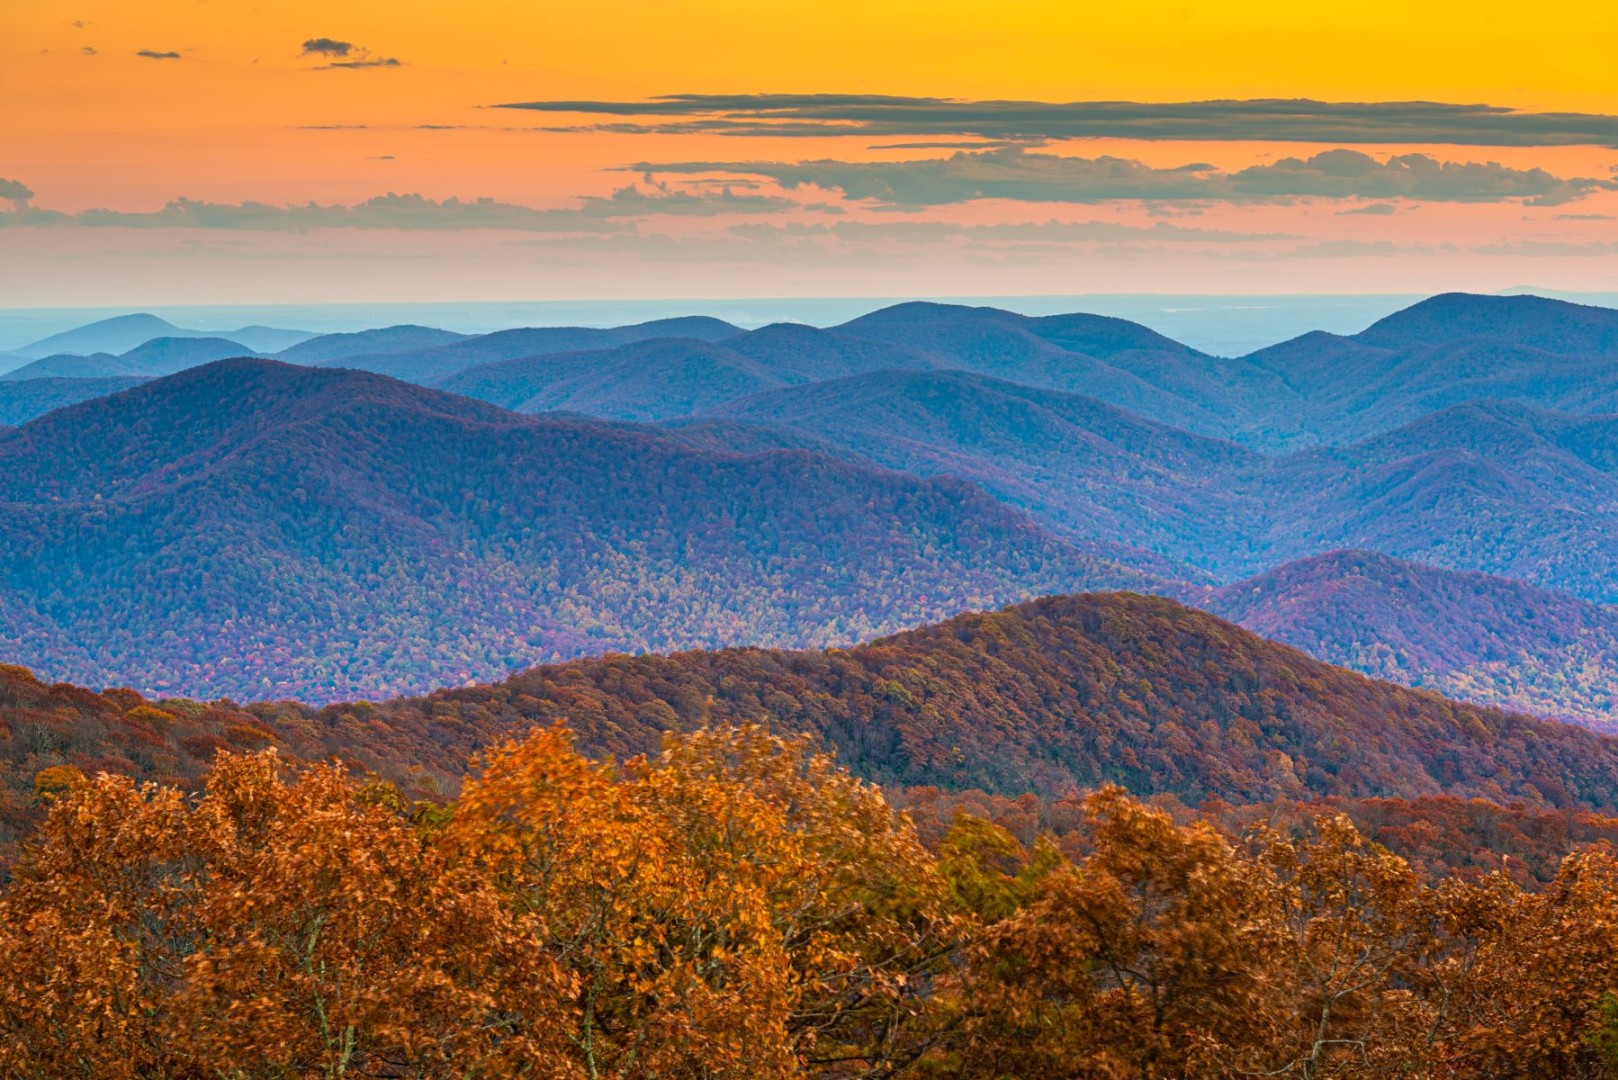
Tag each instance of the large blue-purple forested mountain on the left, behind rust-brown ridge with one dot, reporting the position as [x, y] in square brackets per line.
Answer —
[336, 534]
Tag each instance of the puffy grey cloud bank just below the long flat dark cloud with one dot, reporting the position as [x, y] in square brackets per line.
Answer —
[1025, 176]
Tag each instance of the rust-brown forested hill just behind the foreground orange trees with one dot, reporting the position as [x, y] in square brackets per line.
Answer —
[1044, 697]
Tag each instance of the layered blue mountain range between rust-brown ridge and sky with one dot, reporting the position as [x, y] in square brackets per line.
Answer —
[938, 457]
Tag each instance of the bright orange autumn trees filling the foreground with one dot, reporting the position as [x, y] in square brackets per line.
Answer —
[735, 906]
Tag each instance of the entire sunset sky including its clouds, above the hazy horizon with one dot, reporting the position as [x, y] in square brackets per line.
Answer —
[221, 151]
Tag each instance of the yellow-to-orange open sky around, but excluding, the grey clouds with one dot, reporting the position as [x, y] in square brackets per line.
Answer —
[242, 114]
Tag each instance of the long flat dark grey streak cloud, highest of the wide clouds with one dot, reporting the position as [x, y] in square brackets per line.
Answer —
[1274, 121]
